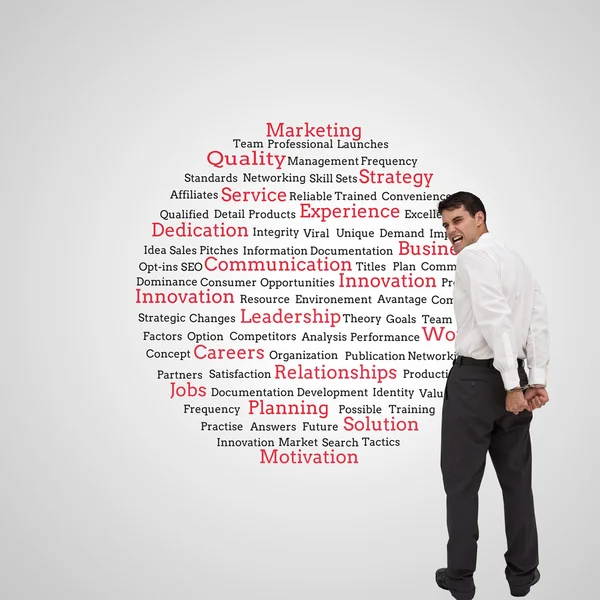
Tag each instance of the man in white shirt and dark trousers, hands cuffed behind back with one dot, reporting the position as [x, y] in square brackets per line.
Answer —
[501, 320]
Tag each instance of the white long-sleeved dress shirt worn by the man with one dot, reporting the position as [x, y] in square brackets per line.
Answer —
[500, 311]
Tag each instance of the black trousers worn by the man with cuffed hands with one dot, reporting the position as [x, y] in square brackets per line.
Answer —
[475, 421]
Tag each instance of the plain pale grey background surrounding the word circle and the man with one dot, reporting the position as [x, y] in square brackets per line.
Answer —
[107, 492]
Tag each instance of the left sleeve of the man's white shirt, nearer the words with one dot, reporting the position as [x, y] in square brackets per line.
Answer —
[480, 276]
